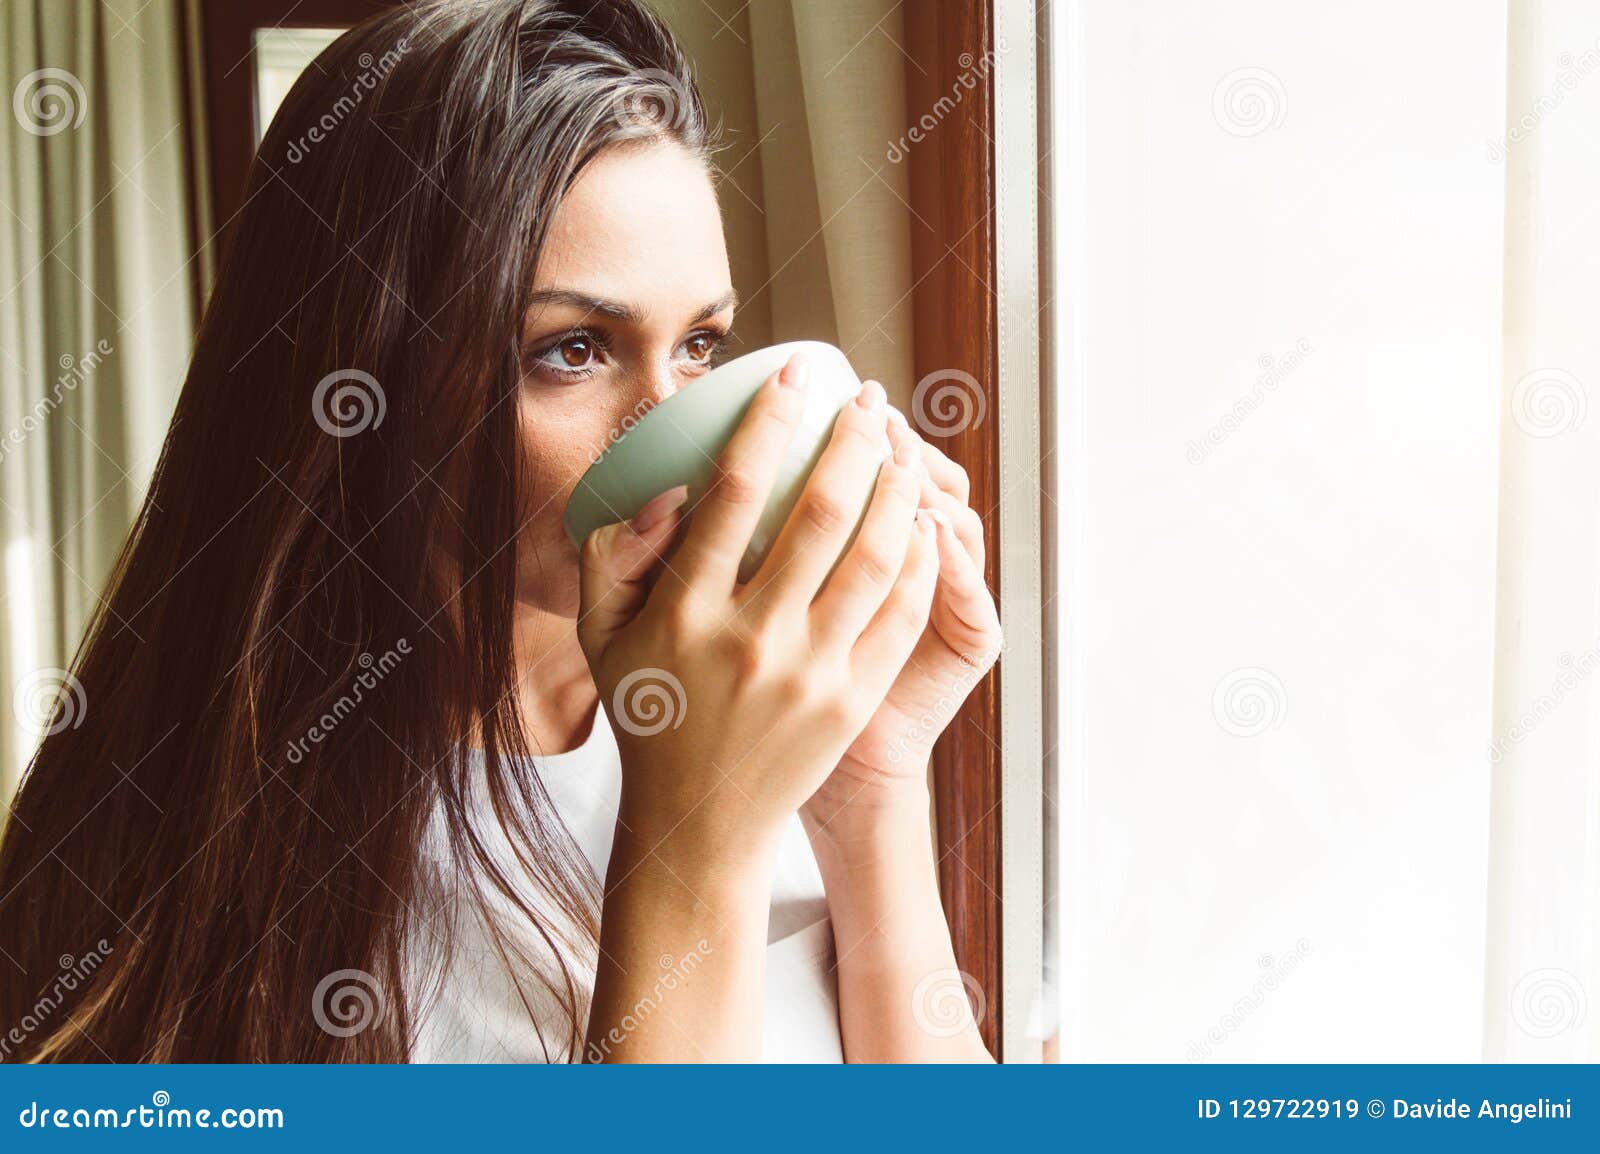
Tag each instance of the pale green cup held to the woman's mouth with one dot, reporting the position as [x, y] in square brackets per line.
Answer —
[679, 441]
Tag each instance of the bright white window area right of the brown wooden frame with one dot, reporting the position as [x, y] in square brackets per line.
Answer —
[1326, 531]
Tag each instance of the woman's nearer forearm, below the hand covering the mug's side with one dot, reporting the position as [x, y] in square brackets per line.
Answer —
[682, 955]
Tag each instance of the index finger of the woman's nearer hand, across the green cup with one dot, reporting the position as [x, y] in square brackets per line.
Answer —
[743, 479]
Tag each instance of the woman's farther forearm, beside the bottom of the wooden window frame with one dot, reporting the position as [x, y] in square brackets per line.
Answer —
[900, 992]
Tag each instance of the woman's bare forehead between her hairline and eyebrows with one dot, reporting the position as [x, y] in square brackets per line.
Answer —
[642, 226]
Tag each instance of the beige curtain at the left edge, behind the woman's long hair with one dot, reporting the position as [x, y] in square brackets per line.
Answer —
[95, 318]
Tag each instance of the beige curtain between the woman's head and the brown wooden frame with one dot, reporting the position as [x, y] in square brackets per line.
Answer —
[810, 98]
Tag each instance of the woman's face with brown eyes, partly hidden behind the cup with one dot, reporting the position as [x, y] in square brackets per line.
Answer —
[633, 297]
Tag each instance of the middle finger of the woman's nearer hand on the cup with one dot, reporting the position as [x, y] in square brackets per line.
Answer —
[831, 505]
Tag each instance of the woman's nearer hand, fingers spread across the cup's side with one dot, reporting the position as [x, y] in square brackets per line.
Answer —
[732, 703]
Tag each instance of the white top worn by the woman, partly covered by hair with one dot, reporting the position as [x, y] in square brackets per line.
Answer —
[474, 1012]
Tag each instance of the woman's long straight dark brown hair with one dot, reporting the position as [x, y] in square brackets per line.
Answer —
[273, 707]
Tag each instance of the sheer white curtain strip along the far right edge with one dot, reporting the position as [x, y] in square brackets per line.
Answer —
[1543, 976]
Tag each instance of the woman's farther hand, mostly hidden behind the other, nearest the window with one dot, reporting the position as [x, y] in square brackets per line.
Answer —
[890, 758]
